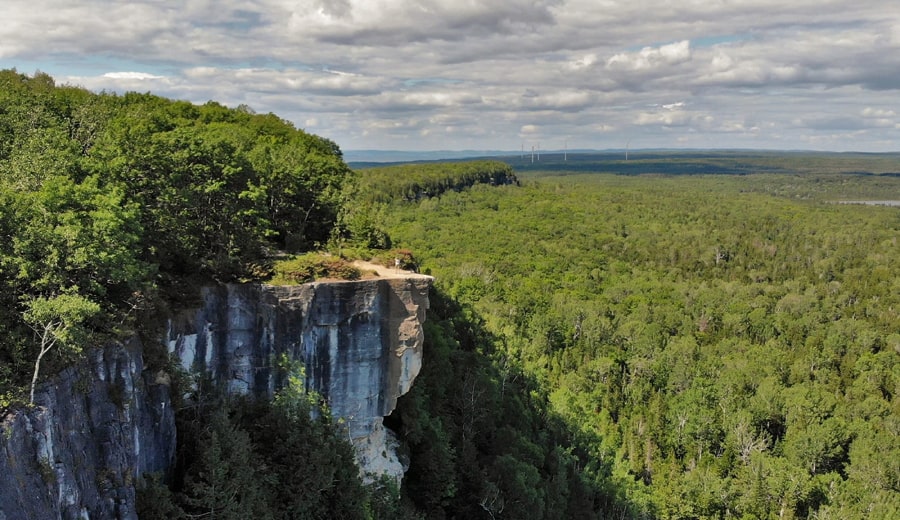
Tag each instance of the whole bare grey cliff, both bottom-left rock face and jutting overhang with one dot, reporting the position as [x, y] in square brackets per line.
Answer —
[96, 429]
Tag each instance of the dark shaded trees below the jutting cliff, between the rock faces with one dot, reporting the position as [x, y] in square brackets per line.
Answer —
[279, 460]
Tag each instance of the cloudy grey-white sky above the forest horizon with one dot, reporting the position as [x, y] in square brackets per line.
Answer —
[496, 74]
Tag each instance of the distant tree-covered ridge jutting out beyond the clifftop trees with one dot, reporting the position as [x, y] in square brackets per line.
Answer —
[417, 181]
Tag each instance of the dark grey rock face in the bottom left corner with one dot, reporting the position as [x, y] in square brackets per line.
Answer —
[92, 431]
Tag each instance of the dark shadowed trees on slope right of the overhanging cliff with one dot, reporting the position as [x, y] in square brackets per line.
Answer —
[481, 439]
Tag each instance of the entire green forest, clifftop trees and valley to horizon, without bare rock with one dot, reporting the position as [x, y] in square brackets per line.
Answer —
[695, 335]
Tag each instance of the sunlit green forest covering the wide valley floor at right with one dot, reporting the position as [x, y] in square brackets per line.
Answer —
[721, 345]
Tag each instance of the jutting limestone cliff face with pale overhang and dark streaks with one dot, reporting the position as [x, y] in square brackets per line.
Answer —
[360, 343]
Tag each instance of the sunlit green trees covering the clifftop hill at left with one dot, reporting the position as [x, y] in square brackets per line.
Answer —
[108, 203]
